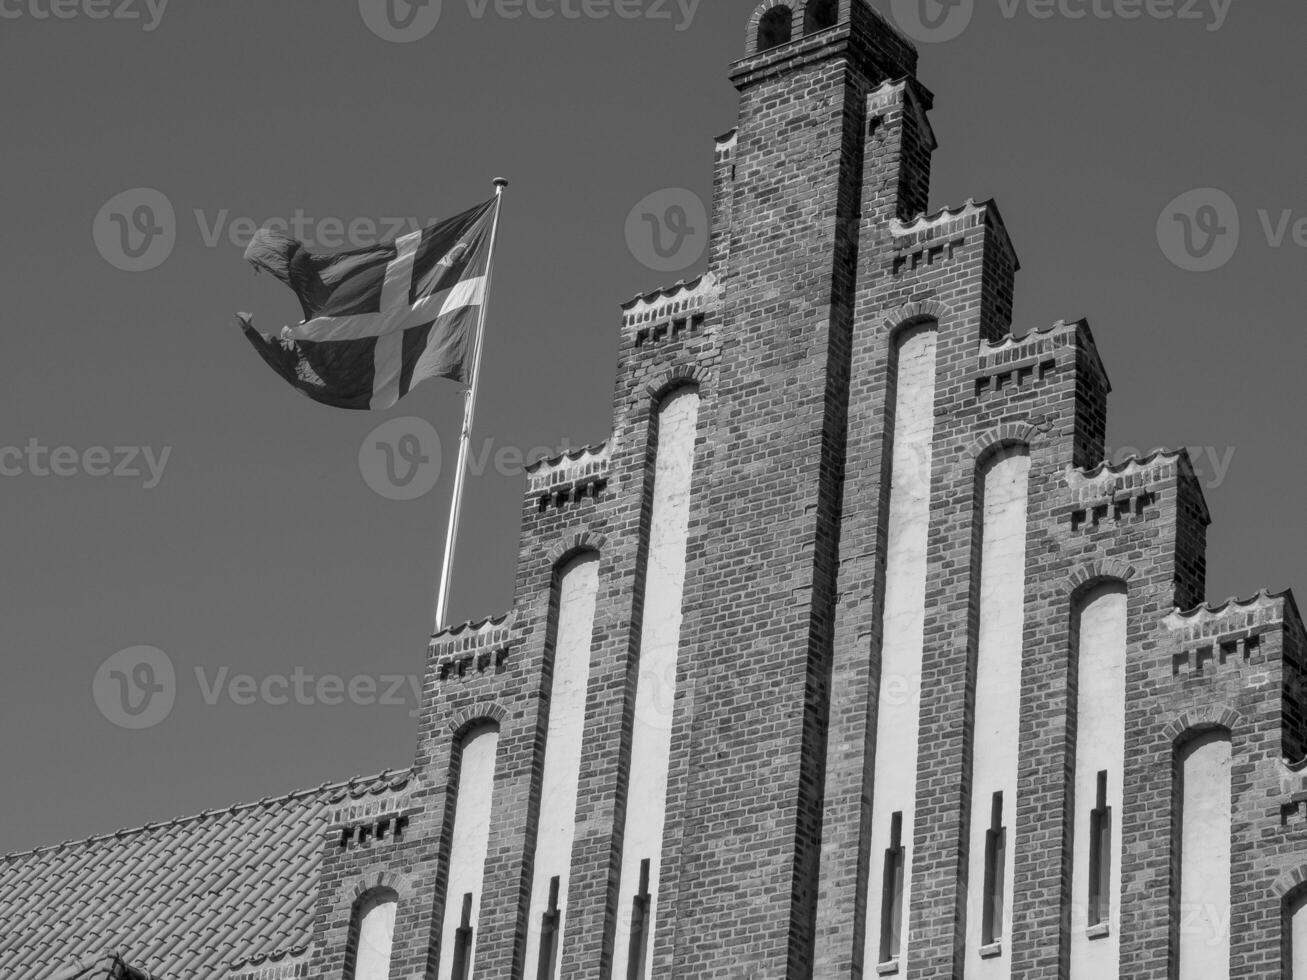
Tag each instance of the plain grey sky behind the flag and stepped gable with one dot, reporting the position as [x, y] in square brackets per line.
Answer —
[164, 491]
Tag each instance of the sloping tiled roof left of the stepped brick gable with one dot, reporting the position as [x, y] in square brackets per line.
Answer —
[182, 900]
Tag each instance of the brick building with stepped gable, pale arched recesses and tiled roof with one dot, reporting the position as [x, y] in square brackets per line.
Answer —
[845, 658]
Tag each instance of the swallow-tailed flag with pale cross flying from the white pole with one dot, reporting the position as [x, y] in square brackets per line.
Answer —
[380, 321]
